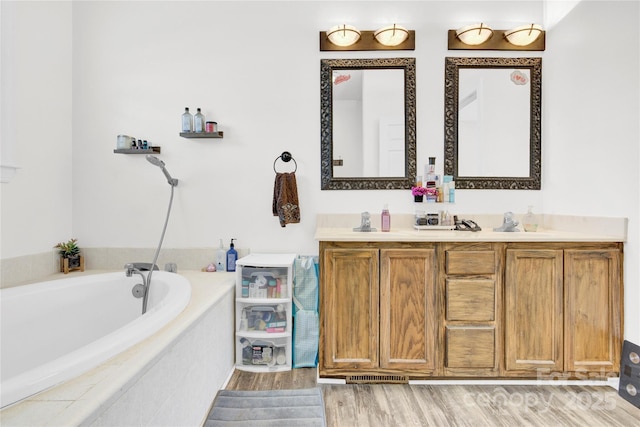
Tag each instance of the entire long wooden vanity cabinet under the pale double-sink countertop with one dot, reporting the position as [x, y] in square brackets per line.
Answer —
[470, 309]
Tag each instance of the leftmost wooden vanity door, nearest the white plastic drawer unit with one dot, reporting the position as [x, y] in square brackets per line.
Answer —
[349, 310]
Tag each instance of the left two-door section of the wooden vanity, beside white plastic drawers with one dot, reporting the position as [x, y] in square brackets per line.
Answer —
[377, 310]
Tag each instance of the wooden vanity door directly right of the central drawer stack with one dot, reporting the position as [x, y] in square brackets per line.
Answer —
[533, 311]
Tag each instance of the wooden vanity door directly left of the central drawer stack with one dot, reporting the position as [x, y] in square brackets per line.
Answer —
[408, 310]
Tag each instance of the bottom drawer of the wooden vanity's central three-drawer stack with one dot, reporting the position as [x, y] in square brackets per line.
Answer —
[472, 347]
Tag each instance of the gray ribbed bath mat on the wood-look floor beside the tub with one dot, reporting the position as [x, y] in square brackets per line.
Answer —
[300, 408]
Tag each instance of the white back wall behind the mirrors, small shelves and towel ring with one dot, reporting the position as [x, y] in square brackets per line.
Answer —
[261, 85]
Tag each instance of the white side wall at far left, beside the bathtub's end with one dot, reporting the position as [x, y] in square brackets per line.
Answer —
[36, 126]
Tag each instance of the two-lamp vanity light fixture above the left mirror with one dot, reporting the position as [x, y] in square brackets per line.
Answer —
[348, 38]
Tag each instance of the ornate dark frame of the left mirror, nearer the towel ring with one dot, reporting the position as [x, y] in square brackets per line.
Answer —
[328, 181]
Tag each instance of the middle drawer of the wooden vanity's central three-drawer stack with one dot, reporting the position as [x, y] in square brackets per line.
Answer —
[470, 300]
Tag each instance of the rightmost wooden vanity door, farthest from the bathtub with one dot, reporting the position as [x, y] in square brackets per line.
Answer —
[593, 310]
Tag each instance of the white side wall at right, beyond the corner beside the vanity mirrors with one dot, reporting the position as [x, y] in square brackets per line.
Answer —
[591, 119]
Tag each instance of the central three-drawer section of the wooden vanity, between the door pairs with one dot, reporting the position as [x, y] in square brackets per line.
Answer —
[471, 286]
